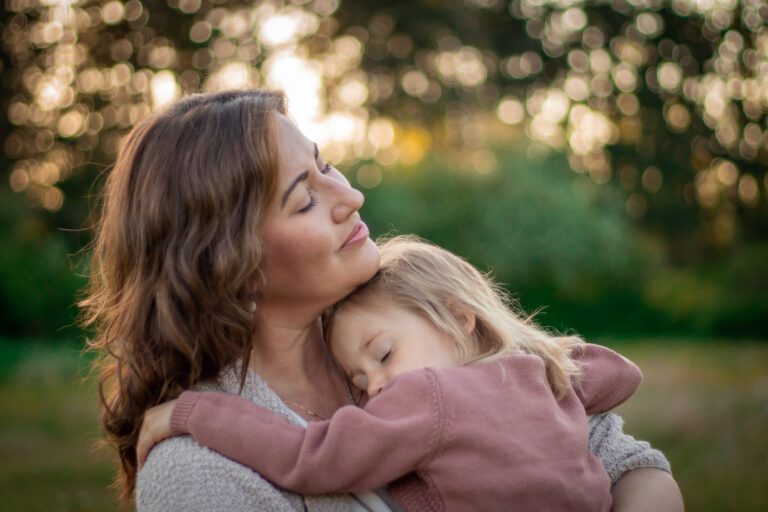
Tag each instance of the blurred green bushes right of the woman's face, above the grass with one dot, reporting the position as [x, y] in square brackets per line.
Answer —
[565, 246]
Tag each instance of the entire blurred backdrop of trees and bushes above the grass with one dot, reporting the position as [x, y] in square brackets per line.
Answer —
[606, 159]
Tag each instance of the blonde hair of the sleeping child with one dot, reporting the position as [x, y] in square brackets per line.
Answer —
[445, 289]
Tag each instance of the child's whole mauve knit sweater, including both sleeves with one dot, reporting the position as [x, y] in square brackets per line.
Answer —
[487, 436]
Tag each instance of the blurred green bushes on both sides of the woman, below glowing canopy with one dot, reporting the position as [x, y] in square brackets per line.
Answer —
[563, 246]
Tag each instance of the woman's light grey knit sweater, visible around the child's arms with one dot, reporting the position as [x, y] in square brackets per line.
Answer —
[181, 475]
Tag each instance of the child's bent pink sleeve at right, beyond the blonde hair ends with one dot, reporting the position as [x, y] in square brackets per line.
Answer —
[607, 378]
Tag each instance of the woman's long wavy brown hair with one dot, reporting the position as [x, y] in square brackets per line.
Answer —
[176, 254]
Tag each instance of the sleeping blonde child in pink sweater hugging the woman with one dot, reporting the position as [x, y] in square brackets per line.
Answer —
[471, 407]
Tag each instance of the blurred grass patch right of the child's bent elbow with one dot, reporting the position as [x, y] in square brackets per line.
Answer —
[706, 406]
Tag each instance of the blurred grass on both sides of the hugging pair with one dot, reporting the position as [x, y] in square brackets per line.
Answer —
[705, 404]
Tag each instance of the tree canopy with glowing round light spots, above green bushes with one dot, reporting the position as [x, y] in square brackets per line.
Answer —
[661, 102]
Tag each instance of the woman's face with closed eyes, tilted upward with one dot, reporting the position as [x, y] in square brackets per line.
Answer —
[317, 248]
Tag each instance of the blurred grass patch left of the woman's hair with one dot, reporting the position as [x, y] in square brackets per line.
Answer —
[48, 432]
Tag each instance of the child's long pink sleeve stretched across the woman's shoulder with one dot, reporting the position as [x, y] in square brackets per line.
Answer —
[356, 450]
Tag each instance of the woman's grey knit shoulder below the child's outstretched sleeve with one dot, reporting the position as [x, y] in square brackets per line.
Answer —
[180, 475]
